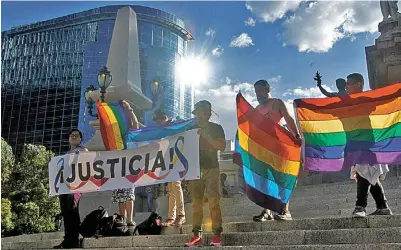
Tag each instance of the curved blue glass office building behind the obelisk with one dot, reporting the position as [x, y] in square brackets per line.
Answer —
[47, 66]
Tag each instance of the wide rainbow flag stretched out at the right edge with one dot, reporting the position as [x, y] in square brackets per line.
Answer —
[363, 128]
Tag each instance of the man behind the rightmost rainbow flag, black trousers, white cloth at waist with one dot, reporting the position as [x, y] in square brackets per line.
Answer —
[367, 176]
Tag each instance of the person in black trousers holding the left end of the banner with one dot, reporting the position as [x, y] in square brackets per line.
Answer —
[69, 202]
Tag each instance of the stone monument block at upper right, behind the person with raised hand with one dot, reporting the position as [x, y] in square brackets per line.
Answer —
[384, 58]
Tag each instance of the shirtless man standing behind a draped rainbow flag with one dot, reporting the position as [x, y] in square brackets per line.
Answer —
[274, 109]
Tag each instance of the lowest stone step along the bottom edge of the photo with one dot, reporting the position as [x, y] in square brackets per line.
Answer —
[271, 238]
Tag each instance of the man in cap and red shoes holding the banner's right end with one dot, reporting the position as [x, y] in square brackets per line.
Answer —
[211, 140]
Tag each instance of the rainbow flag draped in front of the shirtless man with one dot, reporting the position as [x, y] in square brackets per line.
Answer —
[268, 155]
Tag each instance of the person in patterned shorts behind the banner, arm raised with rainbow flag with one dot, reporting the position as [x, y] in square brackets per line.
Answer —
[126, 197]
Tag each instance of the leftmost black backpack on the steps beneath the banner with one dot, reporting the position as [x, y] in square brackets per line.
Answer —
[92, 223]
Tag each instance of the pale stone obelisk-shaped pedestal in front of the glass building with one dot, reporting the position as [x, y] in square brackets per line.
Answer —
[123, 63]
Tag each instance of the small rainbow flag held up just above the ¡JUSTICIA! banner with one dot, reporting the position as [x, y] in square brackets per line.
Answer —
[114, 124]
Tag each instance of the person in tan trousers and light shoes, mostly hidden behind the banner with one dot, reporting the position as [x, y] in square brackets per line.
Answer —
[176, 210]
